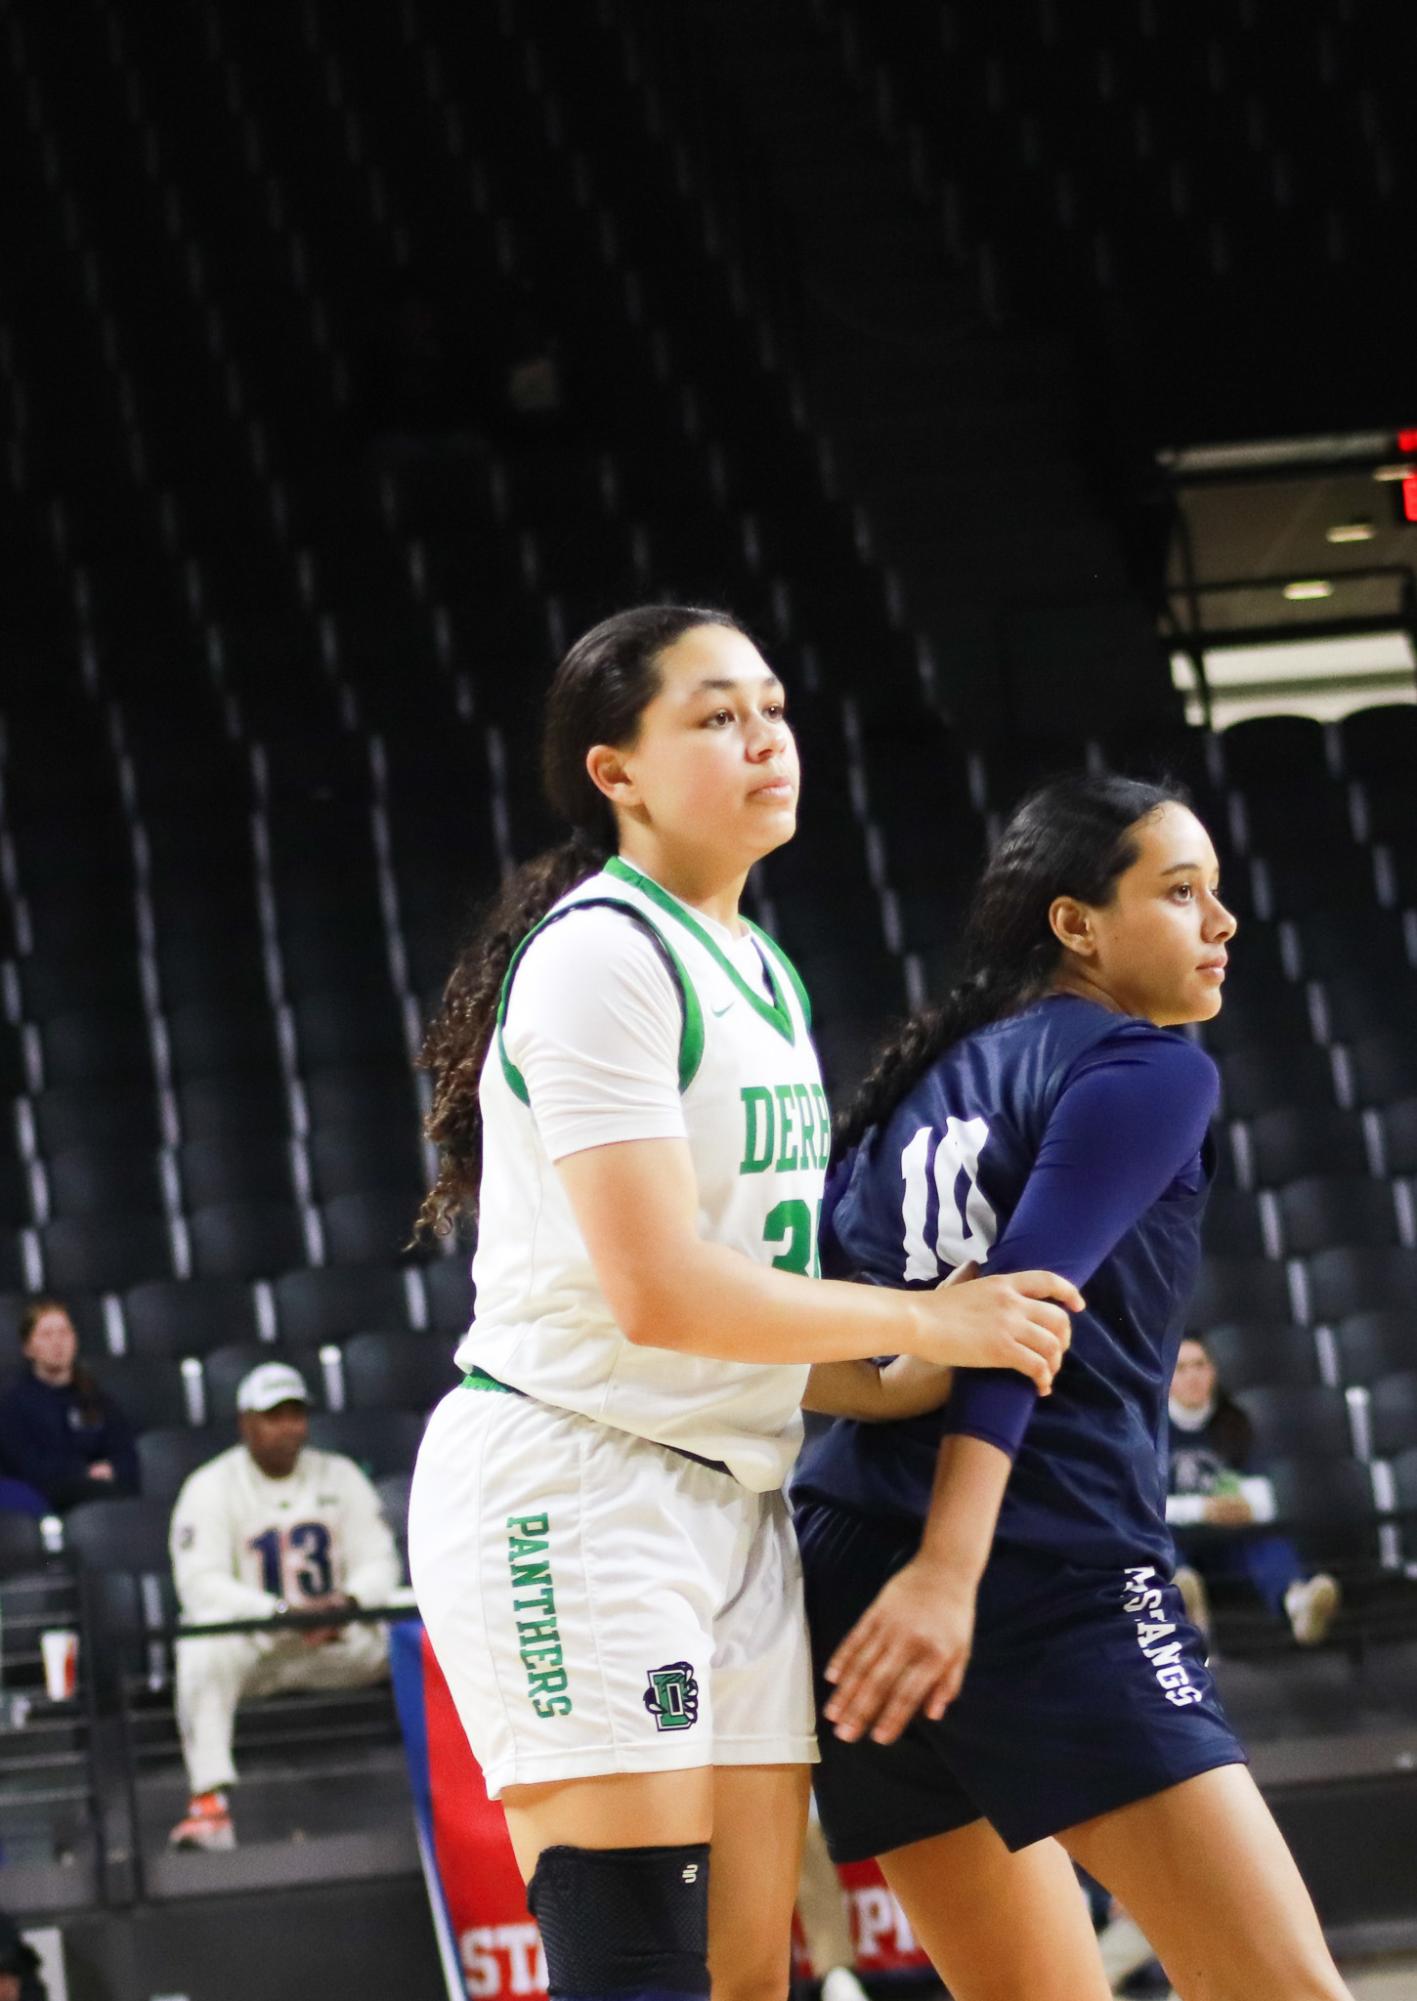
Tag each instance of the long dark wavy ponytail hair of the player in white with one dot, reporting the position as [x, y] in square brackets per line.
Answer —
[597, 697]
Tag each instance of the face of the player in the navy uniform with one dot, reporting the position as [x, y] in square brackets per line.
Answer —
[1158, 949]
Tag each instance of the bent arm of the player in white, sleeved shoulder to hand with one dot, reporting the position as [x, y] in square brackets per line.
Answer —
[593, 1032]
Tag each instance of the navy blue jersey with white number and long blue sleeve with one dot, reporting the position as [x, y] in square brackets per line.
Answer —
[1072, 1140]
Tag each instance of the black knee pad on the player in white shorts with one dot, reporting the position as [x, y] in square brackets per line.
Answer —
[623, 1918]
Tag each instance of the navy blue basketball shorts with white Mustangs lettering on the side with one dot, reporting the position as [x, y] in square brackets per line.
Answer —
[1088, 1690]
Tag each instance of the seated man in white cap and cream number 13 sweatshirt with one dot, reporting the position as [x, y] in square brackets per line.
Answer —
[259, 1532]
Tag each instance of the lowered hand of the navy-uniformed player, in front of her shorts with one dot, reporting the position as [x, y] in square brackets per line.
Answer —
[908, 1654]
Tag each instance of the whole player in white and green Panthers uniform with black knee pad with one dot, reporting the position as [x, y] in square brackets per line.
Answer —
[627, 1092]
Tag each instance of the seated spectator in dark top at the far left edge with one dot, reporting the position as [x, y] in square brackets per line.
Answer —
[59, 1432]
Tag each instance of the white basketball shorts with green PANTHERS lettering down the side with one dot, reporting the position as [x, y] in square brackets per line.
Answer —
[601, 1604]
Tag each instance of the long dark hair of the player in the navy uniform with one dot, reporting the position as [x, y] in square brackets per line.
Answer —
[1074, 837]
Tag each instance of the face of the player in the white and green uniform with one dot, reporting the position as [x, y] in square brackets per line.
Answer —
[714, 767]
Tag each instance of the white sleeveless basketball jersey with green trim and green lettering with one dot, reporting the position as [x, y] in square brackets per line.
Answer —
[760, 1138]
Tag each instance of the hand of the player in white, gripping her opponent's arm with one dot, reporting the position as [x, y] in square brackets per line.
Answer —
[1012, 1322]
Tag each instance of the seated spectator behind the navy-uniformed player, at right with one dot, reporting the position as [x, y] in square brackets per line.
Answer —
[1214, 1486]
